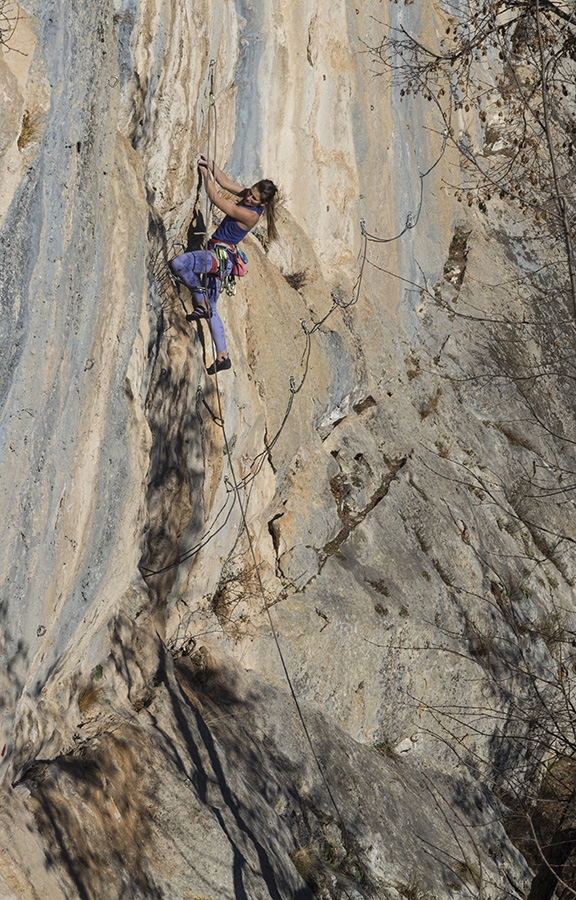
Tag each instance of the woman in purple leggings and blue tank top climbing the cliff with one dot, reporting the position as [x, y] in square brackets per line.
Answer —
[239, 219]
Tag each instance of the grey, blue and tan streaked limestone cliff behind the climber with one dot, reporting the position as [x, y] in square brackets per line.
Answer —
[245, 619]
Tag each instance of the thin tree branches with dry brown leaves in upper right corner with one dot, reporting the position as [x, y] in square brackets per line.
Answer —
[503, 78]
